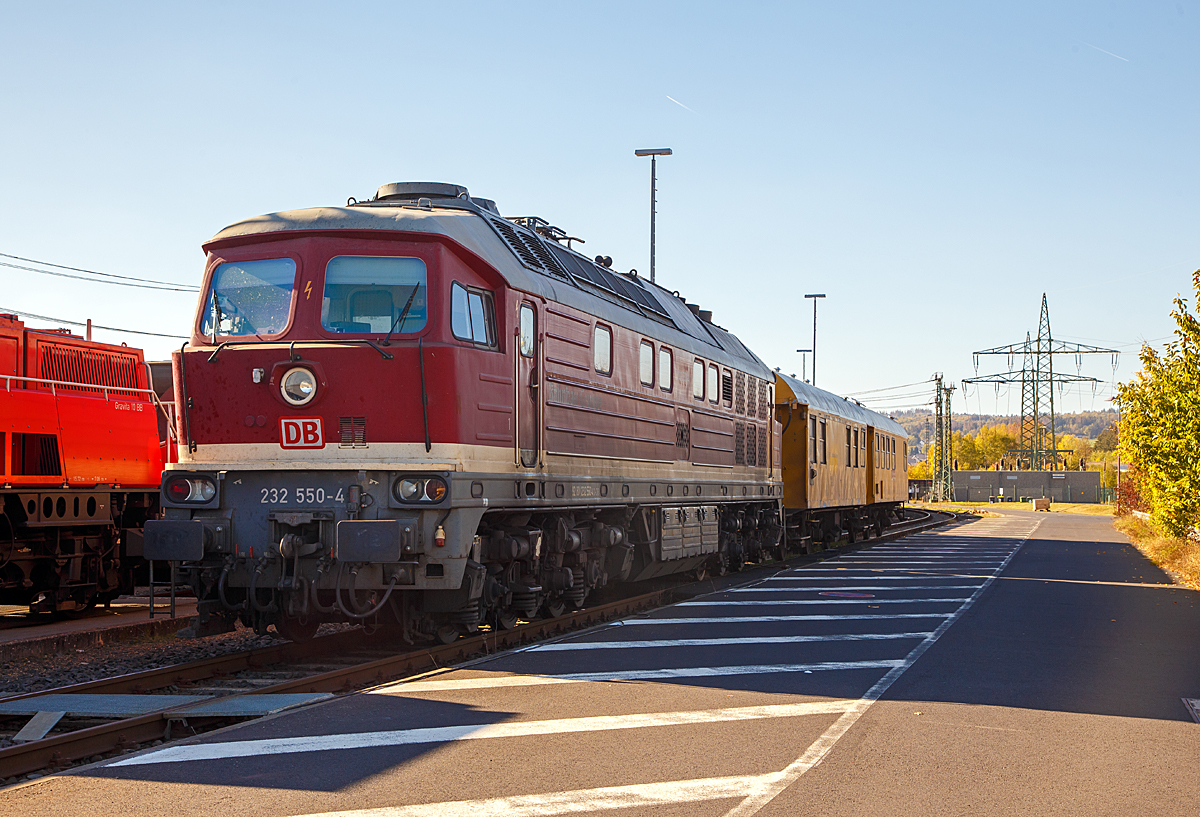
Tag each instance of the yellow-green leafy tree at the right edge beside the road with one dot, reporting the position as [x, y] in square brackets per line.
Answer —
[1161, 424]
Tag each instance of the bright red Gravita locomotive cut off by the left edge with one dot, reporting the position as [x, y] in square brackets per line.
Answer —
[82, 461]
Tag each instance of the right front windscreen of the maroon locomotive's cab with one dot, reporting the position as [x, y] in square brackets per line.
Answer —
[376, 296]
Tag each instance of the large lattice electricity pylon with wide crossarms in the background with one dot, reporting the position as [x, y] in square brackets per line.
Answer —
[1040, 440]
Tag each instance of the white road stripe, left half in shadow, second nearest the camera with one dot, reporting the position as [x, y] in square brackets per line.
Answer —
[218, 752]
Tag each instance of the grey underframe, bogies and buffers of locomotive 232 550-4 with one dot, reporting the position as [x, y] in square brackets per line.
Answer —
[499, 548]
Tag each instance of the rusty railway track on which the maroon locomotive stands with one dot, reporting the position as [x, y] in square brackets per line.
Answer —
[331, 665]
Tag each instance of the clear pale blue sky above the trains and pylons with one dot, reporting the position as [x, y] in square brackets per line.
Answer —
[932, 167]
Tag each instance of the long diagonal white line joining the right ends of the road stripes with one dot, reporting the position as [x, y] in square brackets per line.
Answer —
[821, 748]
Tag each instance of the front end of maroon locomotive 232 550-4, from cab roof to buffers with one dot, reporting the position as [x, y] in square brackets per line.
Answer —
[310, 486]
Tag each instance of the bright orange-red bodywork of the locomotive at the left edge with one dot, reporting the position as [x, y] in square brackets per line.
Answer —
[103, 437]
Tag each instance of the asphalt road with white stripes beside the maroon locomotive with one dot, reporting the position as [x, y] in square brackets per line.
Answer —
[1025, 665]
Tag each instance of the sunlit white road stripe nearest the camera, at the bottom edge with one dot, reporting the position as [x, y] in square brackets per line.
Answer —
[584, 801]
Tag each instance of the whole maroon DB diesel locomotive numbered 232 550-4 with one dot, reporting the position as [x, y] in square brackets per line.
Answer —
[416, 410]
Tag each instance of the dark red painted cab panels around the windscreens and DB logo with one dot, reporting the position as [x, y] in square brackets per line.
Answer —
[465, 385]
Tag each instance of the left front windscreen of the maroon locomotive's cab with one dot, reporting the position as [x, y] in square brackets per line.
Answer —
[250, 298]
